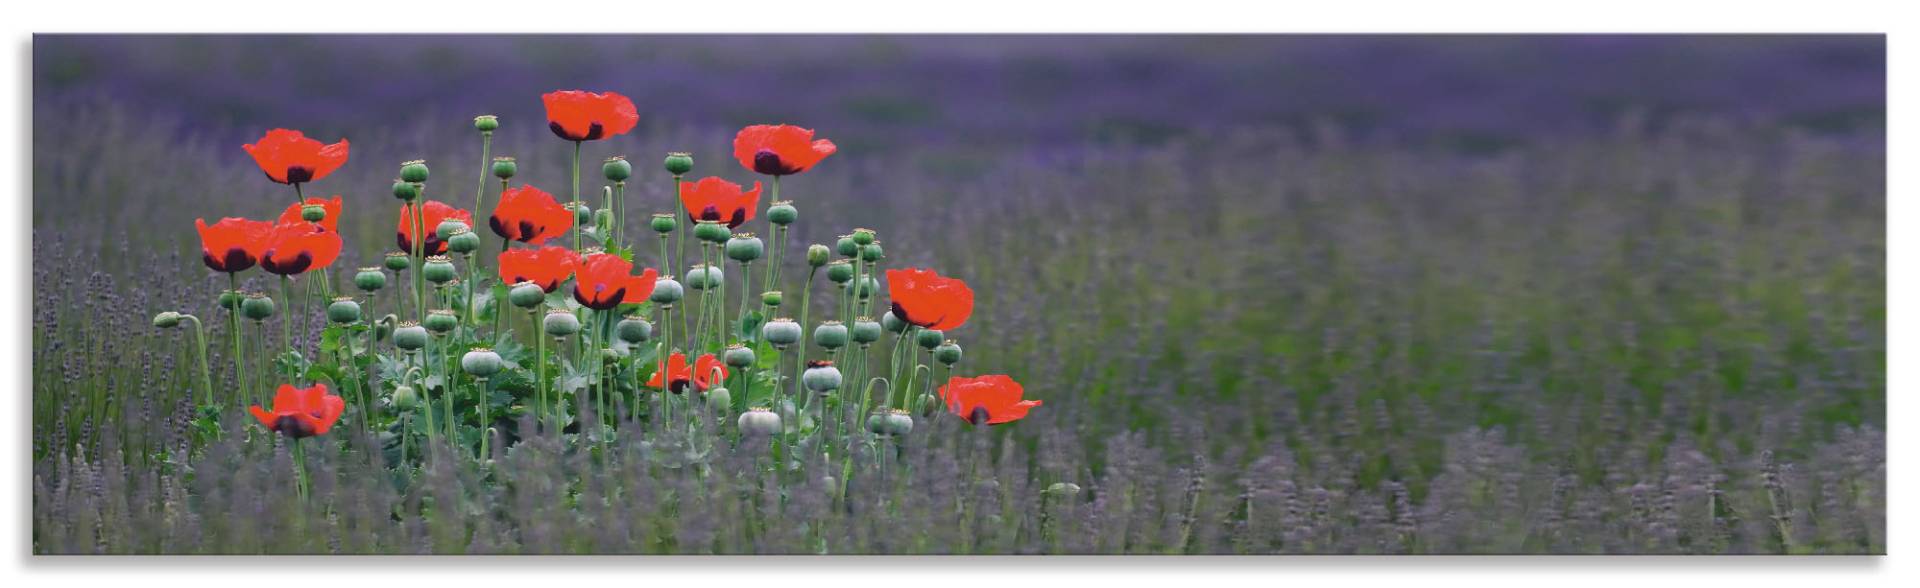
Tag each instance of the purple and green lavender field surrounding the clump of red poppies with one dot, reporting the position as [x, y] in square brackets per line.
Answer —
[1280, 295]
